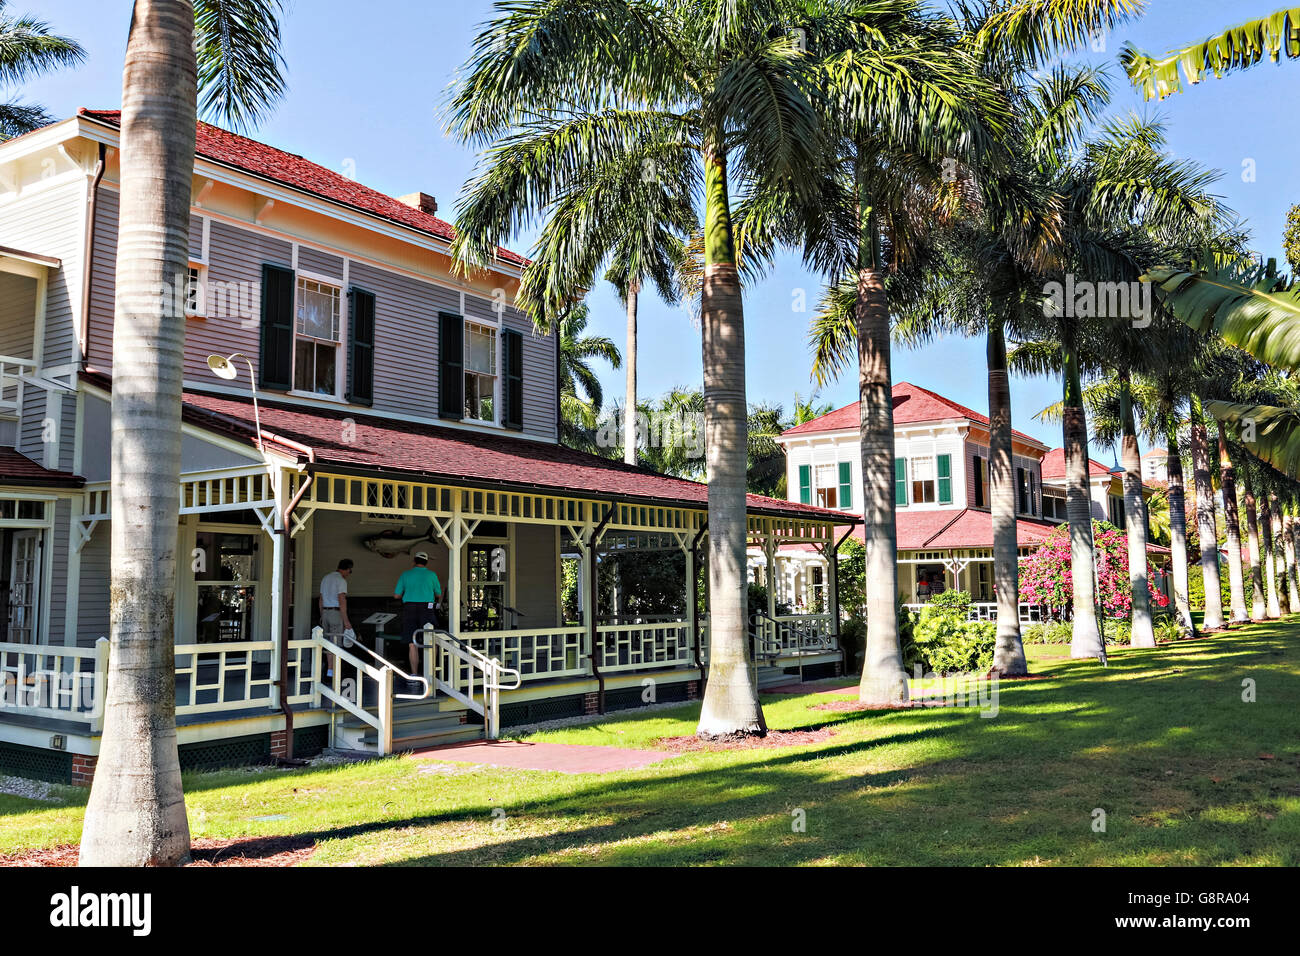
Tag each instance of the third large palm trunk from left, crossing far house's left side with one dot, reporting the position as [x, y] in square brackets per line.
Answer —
[885, 681]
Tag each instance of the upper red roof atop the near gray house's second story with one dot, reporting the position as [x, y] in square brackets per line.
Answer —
[296, 172]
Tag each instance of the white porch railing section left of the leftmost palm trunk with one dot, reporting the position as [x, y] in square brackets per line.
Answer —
[55, 682]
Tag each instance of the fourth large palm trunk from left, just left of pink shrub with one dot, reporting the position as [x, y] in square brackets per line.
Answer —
[1009, 652]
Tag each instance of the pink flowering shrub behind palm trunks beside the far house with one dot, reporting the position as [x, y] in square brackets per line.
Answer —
[1046, 576]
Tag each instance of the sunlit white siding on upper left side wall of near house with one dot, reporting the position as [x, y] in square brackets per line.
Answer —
[50, 223]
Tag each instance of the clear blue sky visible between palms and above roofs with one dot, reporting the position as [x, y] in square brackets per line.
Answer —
[367, 84]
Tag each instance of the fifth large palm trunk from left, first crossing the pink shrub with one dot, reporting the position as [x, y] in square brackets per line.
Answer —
[1087, 641]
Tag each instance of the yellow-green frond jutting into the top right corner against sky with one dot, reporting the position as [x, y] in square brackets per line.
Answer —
[1237, 49]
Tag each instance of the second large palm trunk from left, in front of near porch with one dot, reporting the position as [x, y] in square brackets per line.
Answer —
[731, 697]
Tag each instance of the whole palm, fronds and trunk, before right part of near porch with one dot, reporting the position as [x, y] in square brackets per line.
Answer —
[714, 94]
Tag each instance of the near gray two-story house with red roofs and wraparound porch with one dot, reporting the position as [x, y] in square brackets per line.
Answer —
[401, 406]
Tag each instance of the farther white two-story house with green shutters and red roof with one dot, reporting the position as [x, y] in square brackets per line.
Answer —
[942, 498]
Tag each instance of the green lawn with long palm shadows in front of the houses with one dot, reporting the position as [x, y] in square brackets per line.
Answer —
[1162, 741]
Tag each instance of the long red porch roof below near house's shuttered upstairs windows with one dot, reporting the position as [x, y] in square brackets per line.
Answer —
[452, 455]
